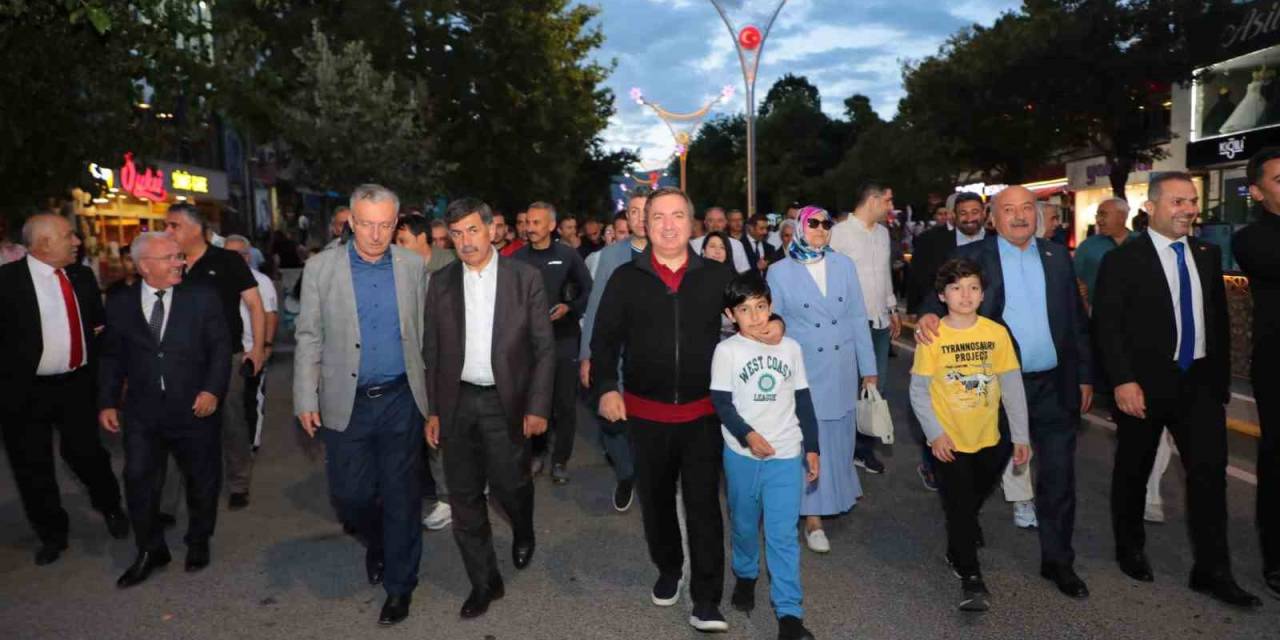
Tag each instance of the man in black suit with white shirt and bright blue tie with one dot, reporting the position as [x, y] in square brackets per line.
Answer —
[1163, 337]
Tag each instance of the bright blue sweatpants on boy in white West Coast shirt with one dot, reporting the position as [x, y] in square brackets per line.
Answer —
[771, 488]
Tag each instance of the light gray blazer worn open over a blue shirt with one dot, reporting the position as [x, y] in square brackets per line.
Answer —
[327, 358]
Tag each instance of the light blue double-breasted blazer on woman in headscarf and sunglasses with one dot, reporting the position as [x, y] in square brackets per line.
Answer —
[833, 331]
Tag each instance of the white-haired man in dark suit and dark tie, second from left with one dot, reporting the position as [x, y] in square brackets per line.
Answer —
[168, 340]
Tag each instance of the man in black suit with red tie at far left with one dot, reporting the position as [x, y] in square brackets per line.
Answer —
[53, 314]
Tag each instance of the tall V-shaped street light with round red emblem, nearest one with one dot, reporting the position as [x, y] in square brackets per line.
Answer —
[749, 40]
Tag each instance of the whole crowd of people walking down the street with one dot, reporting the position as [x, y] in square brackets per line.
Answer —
[442, 362]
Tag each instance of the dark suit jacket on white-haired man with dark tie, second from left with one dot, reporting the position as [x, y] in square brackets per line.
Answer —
[194, 355]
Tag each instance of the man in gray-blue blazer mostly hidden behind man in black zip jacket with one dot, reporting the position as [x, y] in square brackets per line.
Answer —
[614, 436]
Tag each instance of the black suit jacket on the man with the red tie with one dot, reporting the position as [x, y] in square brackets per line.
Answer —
[21, 341]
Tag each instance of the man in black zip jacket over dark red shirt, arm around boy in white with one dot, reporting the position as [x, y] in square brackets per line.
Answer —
[661, 316]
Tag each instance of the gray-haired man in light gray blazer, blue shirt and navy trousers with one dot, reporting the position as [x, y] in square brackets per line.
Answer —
[359, 381]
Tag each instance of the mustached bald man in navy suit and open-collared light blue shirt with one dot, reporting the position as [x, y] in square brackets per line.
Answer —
[1031, 290]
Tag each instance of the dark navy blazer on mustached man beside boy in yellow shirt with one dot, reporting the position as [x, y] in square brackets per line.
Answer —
[1067, 322]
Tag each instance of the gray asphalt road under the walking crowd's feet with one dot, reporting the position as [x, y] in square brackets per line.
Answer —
[284, 568]
